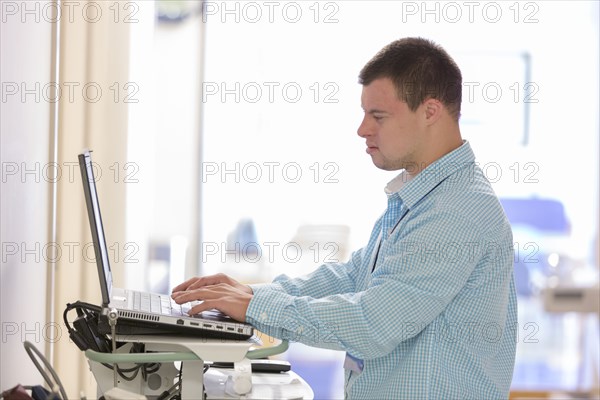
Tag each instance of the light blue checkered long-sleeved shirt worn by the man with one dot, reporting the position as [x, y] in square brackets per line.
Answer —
[435, 317]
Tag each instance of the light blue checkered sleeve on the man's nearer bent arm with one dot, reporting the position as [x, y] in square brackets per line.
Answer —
[410, 283]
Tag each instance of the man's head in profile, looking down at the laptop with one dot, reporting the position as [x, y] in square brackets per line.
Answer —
[411, 99]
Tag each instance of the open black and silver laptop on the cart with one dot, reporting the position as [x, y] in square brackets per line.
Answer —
[144, 313]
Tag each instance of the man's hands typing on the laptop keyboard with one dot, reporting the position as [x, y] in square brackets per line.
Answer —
[216, 291]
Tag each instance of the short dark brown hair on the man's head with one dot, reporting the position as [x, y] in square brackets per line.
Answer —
[419, 69]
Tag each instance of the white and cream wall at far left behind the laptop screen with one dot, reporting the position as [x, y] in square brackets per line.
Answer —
[93, 52]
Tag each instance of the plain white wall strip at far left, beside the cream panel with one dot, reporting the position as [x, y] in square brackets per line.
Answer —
[25, 53]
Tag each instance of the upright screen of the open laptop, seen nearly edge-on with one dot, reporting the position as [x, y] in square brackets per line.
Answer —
[93, 208]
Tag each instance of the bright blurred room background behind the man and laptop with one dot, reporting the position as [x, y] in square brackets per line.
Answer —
[224, 136]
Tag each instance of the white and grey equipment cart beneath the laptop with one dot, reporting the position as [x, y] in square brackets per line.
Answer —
[215, 383]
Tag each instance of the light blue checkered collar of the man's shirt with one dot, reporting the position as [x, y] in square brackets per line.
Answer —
[413, 189]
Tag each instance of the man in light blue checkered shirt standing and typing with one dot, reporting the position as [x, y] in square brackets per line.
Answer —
[427, 309]
